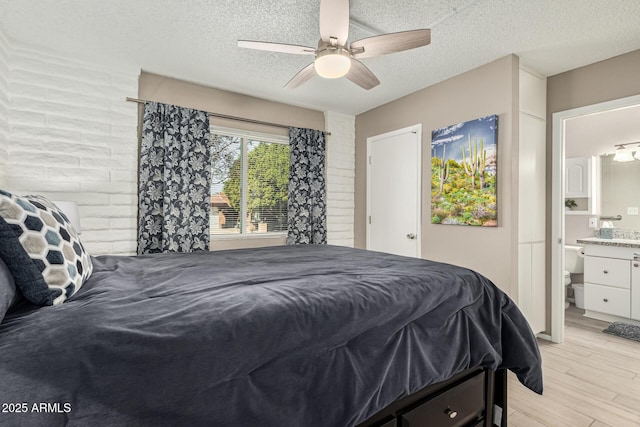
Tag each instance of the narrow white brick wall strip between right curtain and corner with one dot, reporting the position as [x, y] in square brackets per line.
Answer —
[340, 178]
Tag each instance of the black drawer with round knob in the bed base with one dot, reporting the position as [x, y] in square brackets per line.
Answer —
[455, 407]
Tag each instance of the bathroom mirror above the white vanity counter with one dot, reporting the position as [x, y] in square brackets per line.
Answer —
[620, 190]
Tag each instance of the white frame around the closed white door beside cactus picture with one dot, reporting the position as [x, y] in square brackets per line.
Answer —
[417, 131]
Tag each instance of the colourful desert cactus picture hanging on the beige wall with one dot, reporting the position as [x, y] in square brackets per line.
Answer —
[463, 173]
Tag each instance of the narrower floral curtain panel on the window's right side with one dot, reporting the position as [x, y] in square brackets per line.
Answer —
[307, 191]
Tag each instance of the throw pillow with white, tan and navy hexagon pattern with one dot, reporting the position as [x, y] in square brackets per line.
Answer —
[41, 249]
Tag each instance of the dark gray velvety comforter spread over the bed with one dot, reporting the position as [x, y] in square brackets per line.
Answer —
[287, 336]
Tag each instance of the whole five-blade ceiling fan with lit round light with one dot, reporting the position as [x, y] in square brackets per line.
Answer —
[334, 57]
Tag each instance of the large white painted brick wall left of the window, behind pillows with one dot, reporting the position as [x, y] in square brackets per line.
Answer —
[73, 136]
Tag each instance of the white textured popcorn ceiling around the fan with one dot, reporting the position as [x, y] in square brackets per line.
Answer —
[195, 40]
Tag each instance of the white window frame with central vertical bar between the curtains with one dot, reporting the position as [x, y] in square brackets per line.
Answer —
[245, 135]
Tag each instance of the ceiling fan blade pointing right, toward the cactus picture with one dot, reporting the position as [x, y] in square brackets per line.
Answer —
[390, 43]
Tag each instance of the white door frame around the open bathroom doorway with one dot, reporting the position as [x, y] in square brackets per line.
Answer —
[557, 203]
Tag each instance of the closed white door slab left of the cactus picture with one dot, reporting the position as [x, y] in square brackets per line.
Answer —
[393, 191]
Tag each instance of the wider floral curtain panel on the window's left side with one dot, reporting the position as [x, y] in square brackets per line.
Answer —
[174, 180]
